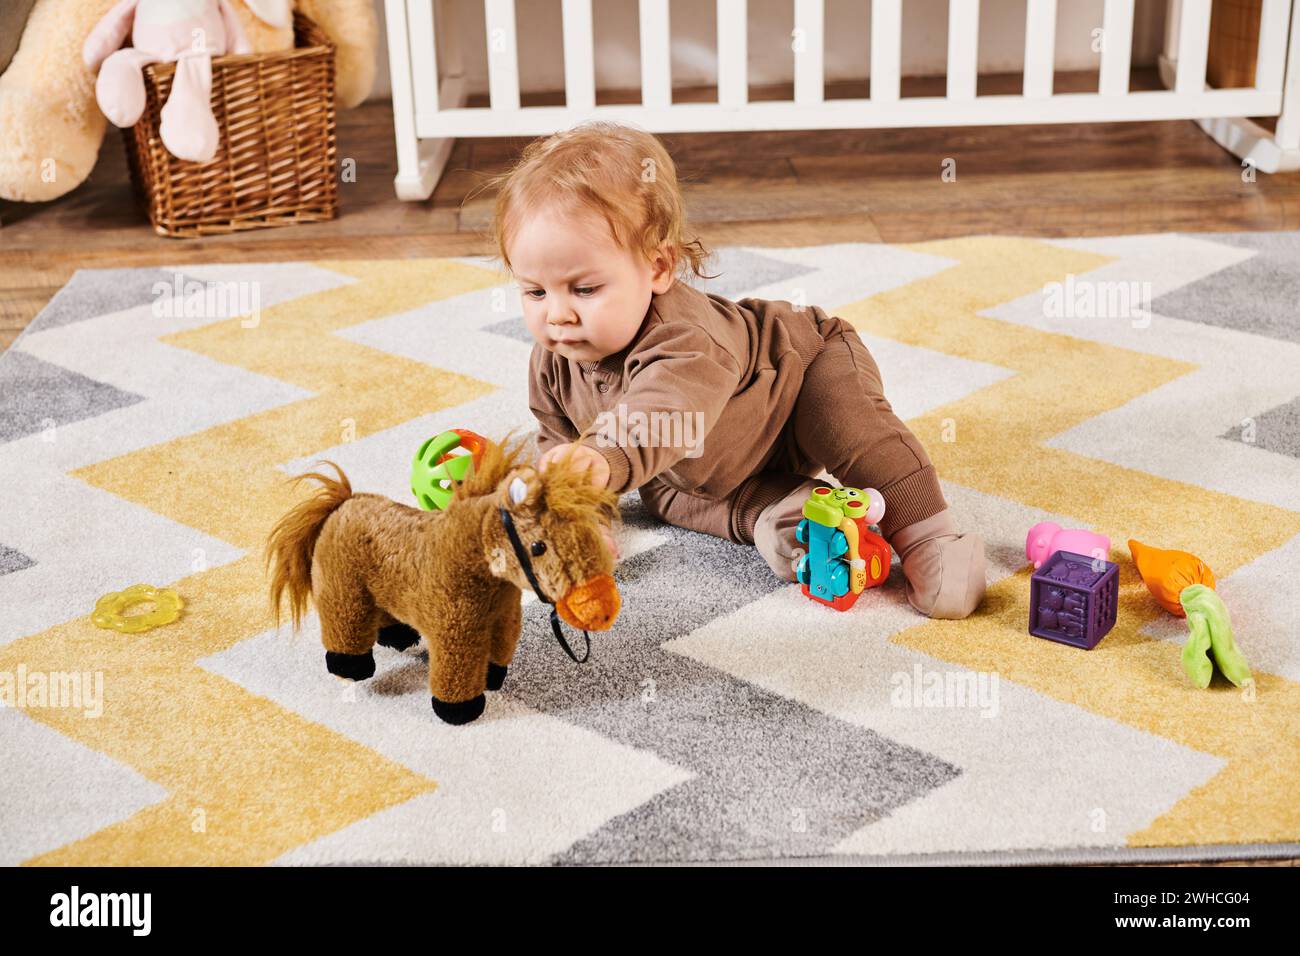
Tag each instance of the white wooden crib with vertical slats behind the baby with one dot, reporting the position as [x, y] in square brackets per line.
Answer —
[430, 113]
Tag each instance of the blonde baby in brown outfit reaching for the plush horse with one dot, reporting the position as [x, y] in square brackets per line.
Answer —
[757, 397]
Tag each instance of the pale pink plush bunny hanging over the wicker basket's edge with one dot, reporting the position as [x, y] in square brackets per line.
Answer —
[187, 32]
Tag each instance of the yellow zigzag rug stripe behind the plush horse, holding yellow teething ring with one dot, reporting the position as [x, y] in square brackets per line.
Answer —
[265, 778]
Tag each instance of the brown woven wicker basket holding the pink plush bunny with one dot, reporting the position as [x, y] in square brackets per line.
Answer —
[276, 163]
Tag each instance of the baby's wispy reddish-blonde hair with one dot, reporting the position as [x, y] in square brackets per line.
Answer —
[621, 174]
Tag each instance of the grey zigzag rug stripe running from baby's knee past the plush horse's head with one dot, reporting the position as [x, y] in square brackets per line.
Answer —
[773, 777]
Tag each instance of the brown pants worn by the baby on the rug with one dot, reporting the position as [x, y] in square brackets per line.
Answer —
[843, 425]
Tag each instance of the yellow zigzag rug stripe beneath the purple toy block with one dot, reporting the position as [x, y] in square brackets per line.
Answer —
[1000, 449]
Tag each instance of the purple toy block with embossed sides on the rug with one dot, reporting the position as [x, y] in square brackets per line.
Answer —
[1073, 604]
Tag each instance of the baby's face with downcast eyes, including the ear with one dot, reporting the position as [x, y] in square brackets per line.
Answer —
[584, 297]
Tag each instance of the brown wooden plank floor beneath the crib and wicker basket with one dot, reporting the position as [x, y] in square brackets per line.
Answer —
[777, 189]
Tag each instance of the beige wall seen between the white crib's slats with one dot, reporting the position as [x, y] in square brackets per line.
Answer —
[695, 60]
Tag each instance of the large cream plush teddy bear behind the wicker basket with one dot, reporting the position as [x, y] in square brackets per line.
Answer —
[51, 127]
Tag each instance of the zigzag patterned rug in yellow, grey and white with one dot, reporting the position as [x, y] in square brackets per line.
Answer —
[1143, 386]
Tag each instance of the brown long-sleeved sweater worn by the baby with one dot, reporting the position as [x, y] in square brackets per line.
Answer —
[726, 373]
